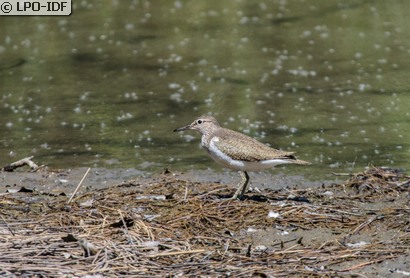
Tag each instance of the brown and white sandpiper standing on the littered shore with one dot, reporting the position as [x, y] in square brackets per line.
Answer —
[237, 151]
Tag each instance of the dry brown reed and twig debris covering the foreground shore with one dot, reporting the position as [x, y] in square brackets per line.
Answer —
[173, 227]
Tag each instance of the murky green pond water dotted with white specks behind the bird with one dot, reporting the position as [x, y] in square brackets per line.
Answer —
[106, 86]
